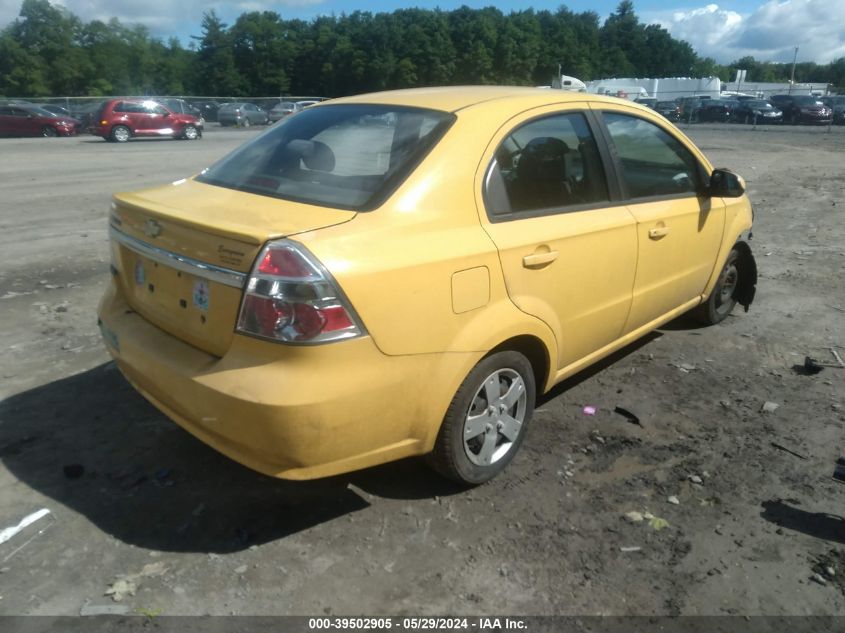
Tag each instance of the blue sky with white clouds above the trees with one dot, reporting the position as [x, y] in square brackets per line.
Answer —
[726, 30]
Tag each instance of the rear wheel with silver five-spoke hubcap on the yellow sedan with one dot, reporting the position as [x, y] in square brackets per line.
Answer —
[472, 460]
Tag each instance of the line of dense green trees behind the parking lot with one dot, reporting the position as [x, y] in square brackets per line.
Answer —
[49, 51]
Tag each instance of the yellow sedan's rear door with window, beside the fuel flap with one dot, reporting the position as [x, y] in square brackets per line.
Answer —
[567, 244]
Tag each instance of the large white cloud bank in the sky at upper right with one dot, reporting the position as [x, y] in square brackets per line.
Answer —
[769, 33]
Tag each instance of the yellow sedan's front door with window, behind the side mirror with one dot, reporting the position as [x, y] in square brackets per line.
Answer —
[679, 229]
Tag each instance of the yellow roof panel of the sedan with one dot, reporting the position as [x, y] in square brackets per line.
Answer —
[454, 98]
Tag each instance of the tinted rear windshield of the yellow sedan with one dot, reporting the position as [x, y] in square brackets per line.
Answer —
[342, 156]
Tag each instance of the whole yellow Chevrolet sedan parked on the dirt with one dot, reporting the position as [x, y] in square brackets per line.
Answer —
[403, 273]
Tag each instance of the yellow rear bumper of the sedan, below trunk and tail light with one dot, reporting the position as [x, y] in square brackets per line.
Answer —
[296, 412]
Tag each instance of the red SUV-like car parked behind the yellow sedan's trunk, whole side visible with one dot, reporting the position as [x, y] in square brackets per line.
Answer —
[121, 119]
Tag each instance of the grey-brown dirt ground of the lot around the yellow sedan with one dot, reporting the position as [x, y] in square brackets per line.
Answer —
[755, 530]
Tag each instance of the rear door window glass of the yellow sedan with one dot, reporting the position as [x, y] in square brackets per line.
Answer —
[548, 163]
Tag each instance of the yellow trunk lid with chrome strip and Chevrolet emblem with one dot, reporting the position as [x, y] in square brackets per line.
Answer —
[184, 251]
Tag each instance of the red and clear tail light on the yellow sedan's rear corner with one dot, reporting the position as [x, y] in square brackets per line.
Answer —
[291, 298]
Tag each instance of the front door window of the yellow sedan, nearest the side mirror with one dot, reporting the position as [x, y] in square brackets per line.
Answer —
[654, 163]
